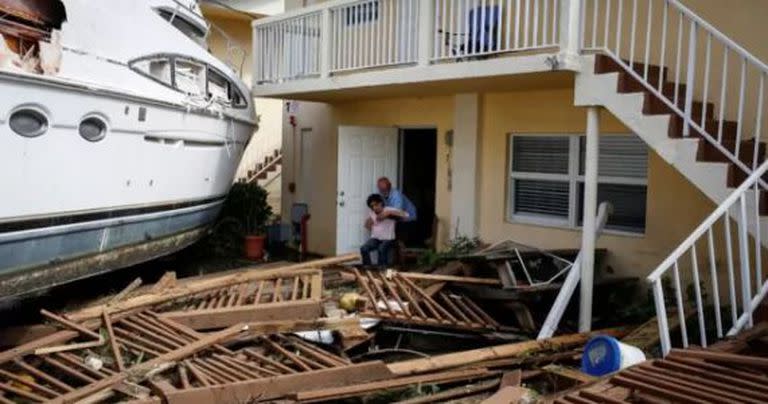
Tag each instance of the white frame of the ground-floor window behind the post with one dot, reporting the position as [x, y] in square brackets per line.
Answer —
[572, 178]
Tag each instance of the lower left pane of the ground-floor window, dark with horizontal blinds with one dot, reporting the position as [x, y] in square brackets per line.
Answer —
[549, 198]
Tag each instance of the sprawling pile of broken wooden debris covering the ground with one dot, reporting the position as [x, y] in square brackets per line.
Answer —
[320, 331]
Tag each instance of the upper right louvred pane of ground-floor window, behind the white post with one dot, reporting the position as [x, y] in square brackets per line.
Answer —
[620, 156]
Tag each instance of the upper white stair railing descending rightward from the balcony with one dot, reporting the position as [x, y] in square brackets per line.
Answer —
[695, 60]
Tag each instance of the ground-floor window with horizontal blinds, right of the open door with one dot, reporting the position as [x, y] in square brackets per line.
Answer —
[546, 181]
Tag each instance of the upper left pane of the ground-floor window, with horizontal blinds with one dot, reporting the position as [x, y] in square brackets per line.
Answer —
[540, 154]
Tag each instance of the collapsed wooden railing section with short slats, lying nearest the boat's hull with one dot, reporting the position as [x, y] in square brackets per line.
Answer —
[294, 296]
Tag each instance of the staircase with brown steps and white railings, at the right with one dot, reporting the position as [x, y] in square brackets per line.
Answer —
[697, 98]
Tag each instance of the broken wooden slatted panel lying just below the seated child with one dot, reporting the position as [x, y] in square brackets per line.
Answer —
[397, 298]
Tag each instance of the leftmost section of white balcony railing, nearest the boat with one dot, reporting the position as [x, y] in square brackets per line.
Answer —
[288, 49]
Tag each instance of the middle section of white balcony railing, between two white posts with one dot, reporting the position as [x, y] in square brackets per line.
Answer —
[373, 33]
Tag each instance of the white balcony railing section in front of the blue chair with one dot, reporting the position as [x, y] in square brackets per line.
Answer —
[471, 28]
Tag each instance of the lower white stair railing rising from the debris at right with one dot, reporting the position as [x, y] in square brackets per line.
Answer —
[713, 234]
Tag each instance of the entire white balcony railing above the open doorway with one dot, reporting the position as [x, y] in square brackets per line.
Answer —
[351, 35]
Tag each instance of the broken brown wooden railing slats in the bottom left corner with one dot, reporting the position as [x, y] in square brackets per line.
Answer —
[142, 339]
